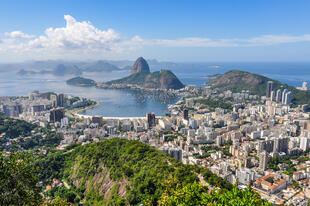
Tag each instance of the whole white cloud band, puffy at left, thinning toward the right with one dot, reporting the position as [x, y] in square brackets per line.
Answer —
[78, 37]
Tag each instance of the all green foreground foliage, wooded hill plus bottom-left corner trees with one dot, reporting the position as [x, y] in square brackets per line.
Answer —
[152, 178]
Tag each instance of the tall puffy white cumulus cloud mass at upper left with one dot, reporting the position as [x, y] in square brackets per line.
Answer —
[75, 35]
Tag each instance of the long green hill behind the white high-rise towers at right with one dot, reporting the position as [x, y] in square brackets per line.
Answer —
[236, 81]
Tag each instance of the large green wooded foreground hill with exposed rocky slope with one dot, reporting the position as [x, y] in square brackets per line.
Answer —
[123, 172]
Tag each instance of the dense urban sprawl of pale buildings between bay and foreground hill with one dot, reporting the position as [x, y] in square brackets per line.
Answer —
[246, 139]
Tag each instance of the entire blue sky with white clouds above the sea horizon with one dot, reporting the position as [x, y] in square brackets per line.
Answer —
[183, 30]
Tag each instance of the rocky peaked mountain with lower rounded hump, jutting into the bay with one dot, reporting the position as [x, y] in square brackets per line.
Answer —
[140, 75]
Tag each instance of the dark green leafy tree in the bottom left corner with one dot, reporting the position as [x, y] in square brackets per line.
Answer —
[17, 180]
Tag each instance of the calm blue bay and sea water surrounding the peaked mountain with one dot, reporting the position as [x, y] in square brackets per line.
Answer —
[128, 104]
